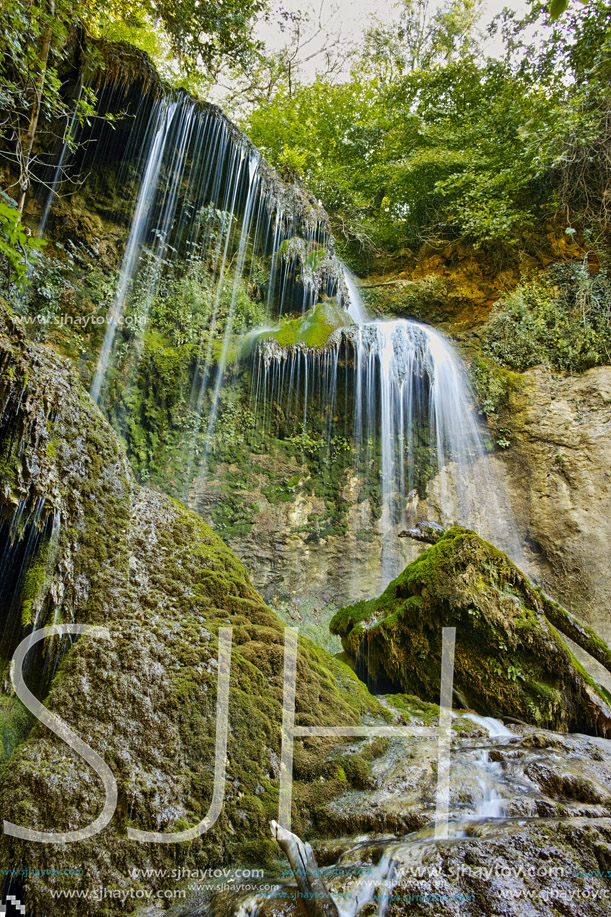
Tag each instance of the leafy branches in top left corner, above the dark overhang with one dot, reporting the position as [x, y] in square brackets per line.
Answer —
[41, 44]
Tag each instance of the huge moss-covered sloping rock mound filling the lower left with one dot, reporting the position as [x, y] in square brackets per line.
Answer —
[108, 552]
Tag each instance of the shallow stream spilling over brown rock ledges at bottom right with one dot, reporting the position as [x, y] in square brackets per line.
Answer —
[546, 851]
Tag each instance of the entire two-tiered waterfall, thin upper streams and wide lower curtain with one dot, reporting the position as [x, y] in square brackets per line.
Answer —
[388, 398]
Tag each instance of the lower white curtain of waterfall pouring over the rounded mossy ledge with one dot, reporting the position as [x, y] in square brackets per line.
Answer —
[412, 423]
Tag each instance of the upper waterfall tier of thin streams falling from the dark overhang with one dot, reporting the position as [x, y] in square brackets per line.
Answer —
[205, 197]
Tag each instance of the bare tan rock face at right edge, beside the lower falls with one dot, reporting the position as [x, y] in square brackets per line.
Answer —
[560, 481]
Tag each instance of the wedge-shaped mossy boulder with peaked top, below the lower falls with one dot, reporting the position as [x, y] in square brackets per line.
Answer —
[510, 660]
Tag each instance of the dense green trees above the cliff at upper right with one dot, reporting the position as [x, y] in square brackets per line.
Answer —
[429, 139]
